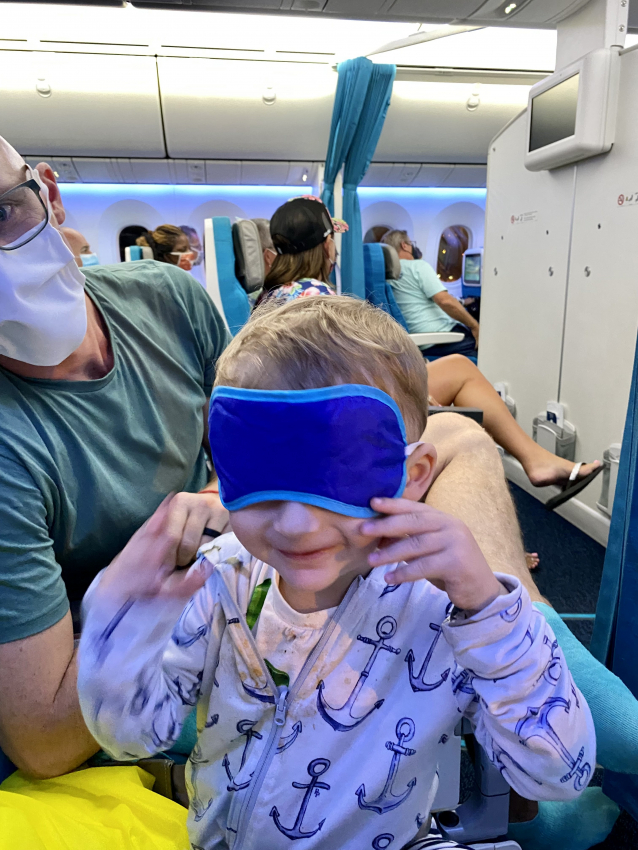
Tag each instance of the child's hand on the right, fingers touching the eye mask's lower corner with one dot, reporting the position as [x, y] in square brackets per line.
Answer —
[435, 546]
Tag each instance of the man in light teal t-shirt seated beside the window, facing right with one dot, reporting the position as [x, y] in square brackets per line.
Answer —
[426, 304]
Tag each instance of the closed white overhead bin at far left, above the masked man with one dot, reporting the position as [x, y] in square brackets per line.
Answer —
[81, 104]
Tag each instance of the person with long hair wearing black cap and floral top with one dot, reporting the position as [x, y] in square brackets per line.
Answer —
[302, 235]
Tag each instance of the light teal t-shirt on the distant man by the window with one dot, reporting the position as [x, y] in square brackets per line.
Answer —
[413, 292]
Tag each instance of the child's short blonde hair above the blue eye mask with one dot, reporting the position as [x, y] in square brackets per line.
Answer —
[324, 341]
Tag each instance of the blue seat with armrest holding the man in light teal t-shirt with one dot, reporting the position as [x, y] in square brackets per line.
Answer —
[379, 290]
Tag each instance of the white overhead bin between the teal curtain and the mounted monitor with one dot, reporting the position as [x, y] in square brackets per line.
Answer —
[432, 121]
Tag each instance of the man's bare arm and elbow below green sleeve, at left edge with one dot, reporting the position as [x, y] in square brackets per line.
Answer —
[41, 726]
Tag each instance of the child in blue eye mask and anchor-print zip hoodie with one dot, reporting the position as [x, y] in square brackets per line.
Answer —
[297, 628]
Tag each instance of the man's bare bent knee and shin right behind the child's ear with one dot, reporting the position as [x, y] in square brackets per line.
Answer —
[470, 484]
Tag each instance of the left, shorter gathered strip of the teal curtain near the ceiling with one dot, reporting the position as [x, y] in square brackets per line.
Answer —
[352, 85]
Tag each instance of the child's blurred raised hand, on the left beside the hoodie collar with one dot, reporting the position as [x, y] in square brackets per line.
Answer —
[147, 566]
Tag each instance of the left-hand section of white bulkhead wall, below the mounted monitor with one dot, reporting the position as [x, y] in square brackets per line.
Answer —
[527, 237]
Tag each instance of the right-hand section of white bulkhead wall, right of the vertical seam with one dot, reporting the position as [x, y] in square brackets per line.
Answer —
[602, 300]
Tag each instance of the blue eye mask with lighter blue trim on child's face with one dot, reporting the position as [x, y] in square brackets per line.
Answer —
[334, 447]
